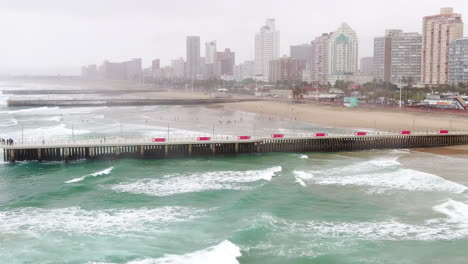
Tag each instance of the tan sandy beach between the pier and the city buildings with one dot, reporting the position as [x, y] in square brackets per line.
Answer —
[358, 118]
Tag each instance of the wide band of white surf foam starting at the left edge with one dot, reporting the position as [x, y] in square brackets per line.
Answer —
[113, 222]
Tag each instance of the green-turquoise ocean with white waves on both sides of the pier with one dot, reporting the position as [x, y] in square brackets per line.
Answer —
[379, 206]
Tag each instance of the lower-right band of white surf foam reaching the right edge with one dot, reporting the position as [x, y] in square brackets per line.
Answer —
[455, 226]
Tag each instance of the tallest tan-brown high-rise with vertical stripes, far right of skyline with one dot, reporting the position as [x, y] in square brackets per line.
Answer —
[438, 32]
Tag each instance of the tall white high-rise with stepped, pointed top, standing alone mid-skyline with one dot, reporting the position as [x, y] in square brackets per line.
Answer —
[266, 49]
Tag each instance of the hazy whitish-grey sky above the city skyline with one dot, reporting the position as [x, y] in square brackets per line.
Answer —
[58, 36]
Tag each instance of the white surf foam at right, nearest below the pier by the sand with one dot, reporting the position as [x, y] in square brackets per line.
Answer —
[402, 179]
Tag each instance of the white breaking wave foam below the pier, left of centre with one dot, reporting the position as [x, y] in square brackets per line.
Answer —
[197, 182]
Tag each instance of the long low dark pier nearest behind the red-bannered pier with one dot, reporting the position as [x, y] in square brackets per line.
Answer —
[29, 102]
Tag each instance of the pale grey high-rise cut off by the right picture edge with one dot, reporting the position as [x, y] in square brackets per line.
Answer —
[458, 62]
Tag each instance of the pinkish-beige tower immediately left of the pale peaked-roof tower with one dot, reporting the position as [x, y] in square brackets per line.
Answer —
[319, 61]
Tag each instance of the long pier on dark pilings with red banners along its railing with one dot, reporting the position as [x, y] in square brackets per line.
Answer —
[159, 148]
